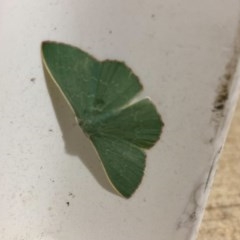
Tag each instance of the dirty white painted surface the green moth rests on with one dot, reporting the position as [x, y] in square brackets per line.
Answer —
[179, 49]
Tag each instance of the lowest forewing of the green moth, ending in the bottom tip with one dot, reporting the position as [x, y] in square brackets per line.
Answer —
[123, 162]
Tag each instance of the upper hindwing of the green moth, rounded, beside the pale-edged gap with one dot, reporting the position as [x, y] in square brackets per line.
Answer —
[117, 85]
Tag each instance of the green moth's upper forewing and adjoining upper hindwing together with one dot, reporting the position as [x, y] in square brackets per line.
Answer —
[89, 85]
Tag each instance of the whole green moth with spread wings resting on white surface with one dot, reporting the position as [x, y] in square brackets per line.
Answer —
[100, 94]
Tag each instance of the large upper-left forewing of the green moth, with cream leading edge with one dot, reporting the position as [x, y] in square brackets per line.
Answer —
[75, 73]
